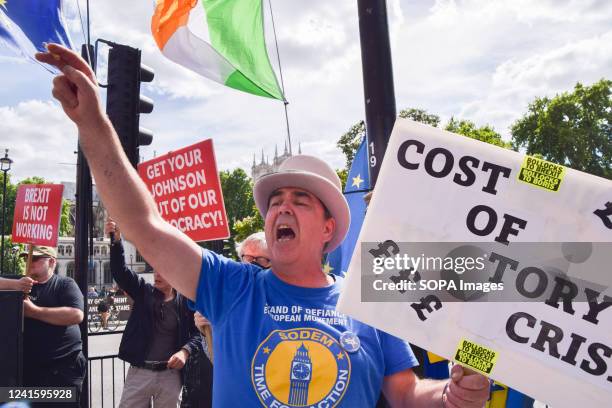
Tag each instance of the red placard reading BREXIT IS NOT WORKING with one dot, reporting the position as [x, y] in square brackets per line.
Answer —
[37, 214]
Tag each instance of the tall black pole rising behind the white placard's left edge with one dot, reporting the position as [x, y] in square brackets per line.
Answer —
[379, 93]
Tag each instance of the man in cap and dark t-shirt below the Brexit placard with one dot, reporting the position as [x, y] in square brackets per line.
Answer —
[51, 337]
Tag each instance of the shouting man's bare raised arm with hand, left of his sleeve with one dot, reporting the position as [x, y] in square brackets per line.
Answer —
[124, 195]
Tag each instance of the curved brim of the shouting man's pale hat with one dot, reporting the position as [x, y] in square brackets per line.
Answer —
[323, 189]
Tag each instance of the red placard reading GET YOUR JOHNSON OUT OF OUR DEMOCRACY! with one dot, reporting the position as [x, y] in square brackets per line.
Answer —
[186, 187]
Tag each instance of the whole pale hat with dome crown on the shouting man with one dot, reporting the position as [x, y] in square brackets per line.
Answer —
[315, 176]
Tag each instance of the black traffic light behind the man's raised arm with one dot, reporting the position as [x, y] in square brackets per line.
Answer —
[124, 104]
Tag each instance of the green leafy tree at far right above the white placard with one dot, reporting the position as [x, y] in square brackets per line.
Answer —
[571, 129]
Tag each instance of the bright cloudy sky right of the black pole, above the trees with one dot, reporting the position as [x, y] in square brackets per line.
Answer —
[485, 60]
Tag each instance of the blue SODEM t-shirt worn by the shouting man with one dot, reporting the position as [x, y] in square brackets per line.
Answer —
[280, 345]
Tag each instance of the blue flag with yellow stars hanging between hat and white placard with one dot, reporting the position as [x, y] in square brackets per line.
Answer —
[357, 185]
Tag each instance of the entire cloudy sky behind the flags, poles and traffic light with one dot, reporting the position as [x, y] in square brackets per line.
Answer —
[482, 60]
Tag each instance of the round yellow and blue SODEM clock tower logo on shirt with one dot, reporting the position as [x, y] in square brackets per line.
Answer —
[300, 367]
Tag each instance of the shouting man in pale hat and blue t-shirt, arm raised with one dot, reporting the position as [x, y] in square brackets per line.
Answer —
[280, 340]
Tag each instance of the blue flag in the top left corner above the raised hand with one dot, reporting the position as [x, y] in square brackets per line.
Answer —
[25, 25]
